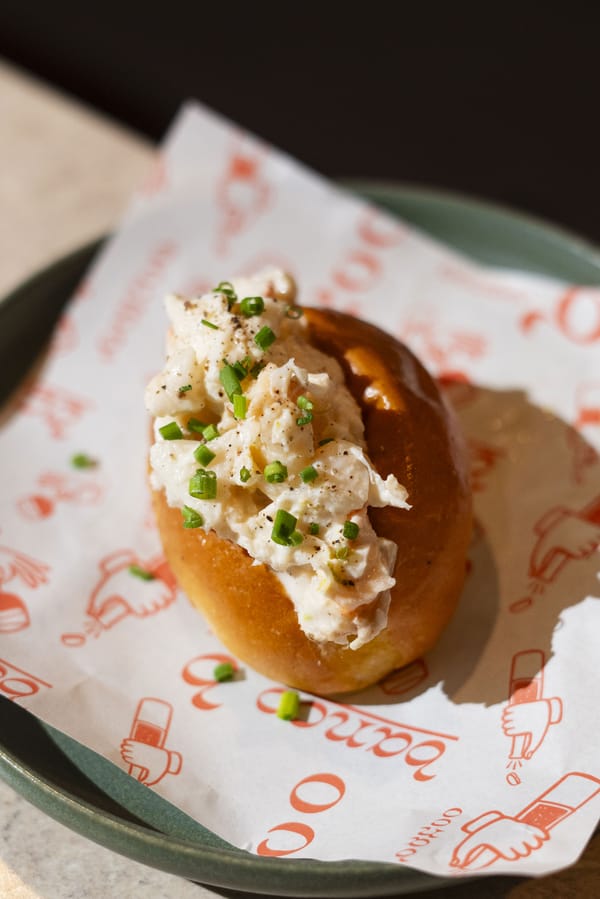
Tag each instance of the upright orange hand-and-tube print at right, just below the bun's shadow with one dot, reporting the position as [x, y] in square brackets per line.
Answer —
[528, 715]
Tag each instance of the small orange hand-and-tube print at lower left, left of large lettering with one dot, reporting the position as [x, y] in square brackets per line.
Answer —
[144, 749]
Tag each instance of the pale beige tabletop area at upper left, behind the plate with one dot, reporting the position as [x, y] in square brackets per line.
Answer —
[65, 174]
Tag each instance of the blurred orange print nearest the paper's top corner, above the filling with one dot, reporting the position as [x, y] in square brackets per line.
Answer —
[243, 194]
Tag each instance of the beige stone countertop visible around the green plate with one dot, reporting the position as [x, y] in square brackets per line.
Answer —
[66, 174]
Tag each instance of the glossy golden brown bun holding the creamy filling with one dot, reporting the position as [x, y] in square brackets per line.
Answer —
[409, 433]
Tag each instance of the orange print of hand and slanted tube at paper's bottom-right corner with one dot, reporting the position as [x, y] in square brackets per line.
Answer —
[494, 836]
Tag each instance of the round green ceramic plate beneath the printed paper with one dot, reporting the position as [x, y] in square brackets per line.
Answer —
[88, 794]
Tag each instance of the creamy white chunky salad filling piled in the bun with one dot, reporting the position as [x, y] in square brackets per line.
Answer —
[339, 586]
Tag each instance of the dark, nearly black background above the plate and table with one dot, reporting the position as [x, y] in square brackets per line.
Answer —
[507, 110]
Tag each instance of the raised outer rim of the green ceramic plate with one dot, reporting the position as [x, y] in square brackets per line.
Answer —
[311, 877]
